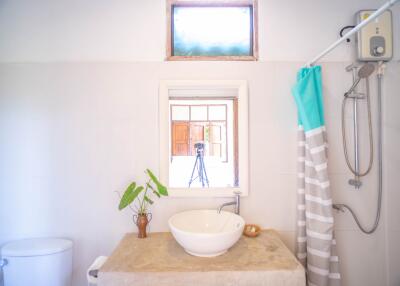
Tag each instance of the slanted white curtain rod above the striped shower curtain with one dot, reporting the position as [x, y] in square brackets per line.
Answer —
[374, 15]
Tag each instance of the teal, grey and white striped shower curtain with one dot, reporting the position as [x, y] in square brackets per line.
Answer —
[316, 245]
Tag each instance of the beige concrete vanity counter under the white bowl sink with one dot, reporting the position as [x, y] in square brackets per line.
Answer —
[159, 260]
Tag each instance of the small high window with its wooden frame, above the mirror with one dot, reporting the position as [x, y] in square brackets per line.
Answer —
[212, 30]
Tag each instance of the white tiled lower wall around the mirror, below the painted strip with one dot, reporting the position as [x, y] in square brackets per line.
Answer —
[75, 134]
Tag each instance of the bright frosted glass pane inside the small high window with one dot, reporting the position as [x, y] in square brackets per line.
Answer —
[212, 31]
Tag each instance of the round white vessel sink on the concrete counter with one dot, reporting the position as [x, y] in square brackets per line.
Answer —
[206, 233]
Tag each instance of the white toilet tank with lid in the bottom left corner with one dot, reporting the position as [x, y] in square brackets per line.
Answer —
[37, 262]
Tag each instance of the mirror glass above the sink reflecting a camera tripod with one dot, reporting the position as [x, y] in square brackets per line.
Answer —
[218, 136]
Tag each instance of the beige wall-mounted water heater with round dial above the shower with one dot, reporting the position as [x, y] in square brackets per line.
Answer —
[375, 40]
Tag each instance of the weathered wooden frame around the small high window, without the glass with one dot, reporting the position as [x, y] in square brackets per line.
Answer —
[213, 3]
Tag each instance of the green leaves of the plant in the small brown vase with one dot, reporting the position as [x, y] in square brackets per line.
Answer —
[142, 196]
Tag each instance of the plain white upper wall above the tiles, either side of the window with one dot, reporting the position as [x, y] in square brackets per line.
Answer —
[134, 30]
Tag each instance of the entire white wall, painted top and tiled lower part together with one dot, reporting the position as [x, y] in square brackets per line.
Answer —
[80, 119]
